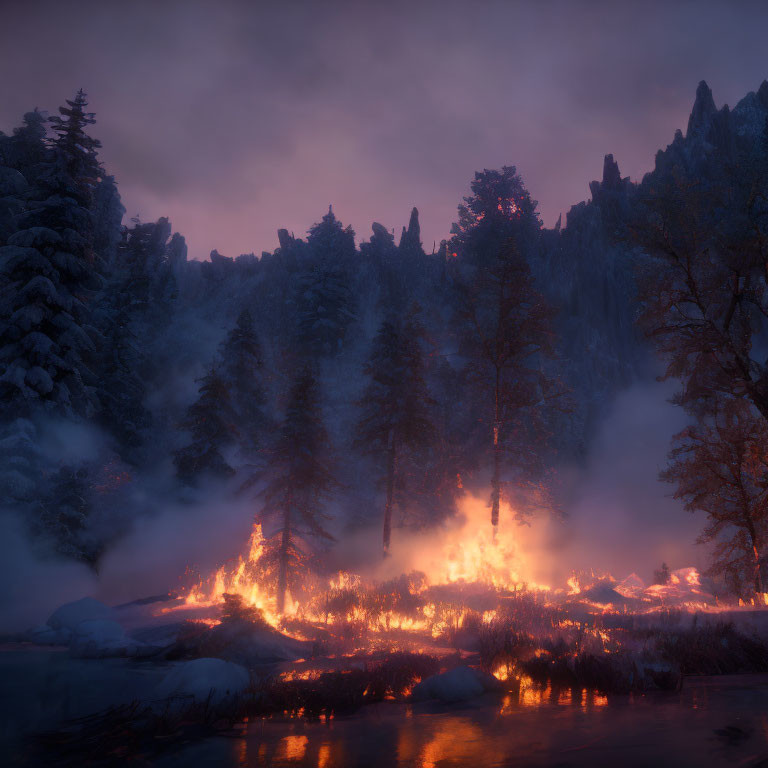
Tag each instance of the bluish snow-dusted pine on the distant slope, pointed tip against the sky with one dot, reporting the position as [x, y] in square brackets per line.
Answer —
[326, 305]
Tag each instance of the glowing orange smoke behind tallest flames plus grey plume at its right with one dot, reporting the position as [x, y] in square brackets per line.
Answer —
[619, 518]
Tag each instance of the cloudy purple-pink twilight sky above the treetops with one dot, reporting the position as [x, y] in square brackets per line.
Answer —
[236, 118]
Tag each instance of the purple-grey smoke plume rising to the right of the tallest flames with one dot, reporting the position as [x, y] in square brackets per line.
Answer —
[621, 518]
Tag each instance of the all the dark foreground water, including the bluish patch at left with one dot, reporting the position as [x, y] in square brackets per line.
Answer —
[714, 721]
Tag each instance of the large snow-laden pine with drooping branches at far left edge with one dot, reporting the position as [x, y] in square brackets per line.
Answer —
[48, 278]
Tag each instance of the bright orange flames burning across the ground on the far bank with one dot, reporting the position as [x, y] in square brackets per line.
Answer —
[425, 588]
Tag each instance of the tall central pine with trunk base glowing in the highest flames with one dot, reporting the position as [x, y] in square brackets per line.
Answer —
[503, 323]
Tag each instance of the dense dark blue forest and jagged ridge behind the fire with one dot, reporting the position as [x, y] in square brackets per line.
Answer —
[341, 381]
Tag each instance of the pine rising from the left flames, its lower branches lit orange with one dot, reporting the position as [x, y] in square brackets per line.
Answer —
[300, 484]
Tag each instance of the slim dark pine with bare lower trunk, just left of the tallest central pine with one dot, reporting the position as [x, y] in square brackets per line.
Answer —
[395, 405]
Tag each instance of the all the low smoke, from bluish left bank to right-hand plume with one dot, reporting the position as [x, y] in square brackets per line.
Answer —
[620, 519]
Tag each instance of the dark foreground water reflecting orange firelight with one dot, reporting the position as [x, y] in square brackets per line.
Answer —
[711, 722]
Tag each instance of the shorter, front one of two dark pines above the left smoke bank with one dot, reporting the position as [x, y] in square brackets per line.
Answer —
[211, 421]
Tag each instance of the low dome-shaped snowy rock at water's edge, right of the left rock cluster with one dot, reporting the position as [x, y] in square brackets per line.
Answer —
[202, 678]
